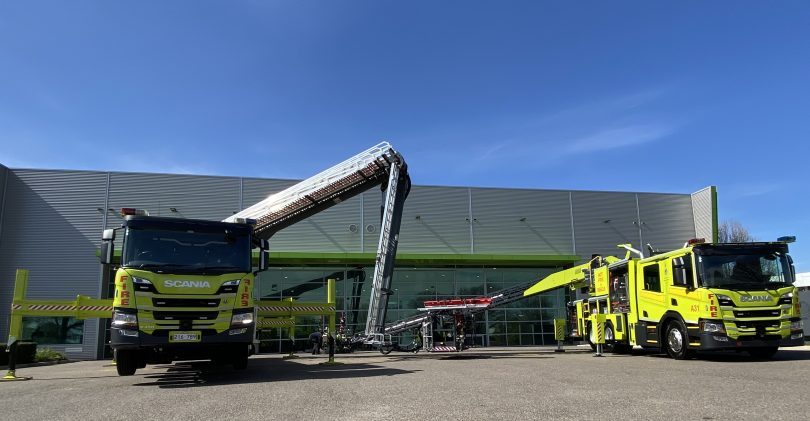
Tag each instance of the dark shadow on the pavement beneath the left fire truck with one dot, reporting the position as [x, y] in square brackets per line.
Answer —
[195, 374]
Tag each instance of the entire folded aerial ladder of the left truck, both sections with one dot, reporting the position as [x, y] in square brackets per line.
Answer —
[380, 165]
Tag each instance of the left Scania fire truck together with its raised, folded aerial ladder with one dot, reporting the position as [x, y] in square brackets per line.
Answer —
[184, 287]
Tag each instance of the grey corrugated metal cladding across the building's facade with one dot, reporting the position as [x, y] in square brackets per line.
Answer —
[51, 223]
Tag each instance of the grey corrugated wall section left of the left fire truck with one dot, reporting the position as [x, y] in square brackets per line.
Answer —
[51, 227]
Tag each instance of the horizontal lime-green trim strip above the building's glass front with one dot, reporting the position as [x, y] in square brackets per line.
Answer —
[420, 259]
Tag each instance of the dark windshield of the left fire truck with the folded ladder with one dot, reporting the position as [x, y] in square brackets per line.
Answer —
[186, 251]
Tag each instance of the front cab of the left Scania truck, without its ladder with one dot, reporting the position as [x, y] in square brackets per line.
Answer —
[183, 290]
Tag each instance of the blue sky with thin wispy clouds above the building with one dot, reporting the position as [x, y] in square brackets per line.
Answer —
[666, 96]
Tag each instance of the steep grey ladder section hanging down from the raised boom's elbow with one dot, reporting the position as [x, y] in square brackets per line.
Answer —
[399, 185]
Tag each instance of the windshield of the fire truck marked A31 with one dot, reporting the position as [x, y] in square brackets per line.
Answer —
[763, 270]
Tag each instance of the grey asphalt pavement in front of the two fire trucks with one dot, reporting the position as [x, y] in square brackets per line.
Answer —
[486, 384]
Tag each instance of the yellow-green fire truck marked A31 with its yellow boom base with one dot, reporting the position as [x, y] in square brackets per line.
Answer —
[702, 297]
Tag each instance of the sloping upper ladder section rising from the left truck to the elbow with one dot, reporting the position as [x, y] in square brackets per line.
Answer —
[322, 191]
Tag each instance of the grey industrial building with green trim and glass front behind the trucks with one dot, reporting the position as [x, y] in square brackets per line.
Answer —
[455, 242]
